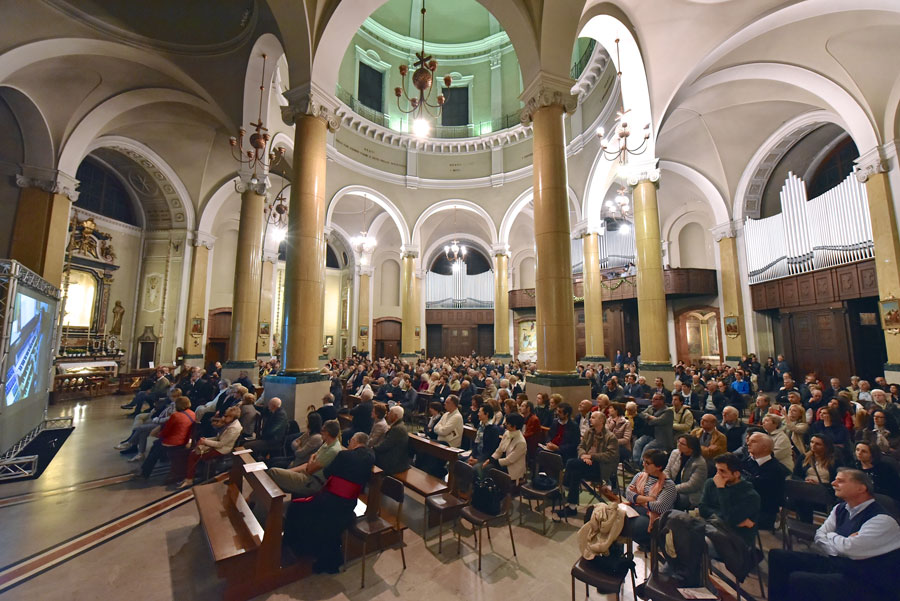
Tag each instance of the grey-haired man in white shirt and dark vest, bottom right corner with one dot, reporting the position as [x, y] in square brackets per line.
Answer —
[857, 551]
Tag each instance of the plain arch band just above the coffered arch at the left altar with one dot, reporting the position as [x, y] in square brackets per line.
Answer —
[74, 149]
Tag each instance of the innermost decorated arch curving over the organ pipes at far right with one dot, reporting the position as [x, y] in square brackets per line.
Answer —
[760, 166]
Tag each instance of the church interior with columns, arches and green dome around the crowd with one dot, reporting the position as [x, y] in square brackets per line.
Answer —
[277, 191]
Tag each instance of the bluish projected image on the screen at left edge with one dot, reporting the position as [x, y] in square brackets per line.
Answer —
[29, 337]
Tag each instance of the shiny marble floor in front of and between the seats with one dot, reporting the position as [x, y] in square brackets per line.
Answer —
[167, 557]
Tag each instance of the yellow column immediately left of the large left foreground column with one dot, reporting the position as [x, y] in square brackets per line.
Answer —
[247, 278]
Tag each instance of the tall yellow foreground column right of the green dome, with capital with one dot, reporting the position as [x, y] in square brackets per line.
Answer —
[547, 99]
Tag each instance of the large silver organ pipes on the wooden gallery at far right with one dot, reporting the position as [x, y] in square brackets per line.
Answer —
[829, 230]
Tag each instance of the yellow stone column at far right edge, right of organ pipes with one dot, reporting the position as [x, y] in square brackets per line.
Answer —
[872, 170]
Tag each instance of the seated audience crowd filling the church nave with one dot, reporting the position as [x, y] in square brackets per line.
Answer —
[721, 440]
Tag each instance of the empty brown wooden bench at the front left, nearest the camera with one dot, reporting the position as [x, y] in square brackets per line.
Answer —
[248, 554]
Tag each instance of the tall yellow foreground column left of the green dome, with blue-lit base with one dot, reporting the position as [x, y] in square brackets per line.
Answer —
[301, 383]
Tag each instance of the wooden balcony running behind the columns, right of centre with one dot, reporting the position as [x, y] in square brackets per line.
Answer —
[679, 283]
